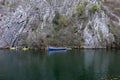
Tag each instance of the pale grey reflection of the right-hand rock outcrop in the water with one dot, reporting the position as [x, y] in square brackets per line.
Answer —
[97, 62]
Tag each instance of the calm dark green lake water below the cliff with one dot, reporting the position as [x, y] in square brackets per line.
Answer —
[71, 65]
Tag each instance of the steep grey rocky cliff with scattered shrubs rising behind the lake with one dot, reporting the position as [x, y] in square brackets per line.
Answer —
[39, 23]
